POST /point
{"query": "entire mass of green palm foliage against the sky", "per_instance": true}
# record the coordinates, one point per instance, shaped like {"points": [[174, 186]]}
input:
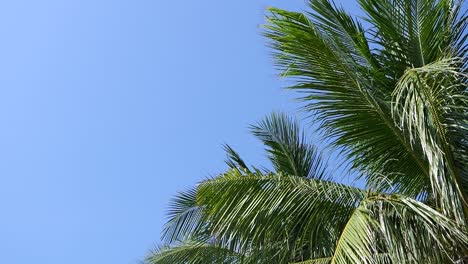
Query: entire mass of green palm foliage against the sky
{"points": [[391, 96]]}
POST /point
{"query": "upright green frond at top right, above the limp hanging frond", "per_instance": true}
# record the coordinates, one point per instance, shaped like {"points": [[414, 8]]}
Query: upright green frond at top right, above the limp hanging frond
{"points": [[413, 33]]}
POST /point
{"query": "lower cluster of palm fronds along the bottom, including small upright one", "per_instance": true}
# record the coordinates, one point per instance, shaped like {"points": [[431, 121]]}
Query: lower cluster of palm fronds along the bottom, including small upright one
{"points": [[296, 213]]}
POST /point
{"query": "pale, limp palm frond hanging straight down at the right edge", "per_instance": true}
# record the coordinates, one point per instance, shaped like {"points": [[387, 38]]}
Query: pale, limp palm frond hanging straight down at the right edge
{"points": [[429, 103]]}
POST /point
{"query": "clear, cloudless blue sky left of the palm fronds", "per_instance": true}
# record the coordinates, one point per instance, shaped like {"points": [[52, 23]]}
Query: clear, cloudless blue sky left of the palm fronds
{"points": [[109, 107]]}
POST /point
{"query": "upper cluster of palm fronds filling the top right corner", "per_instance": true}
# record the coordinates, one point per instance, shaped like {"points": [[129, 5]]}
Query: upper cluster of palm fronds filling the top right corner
{"points": [[394, 96]]}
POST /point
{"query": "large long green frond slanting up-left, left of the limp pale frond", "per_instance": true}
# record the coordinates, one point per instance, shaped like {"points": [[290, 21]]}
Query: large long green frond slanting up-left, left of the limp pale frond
{"points": [[348, 91]]}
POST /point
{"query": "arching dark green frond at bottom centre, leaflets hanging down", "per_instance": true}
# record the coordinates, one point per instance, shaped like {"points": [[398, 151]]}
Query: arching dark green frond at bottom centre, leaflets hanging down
{"points": [[253, 211]]}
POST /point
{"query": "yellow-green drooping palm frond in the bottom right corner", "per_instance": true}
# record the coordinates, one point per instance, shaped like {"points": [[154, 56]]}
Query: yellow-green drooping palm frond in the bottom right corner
{"points": [[394, 229]]}
